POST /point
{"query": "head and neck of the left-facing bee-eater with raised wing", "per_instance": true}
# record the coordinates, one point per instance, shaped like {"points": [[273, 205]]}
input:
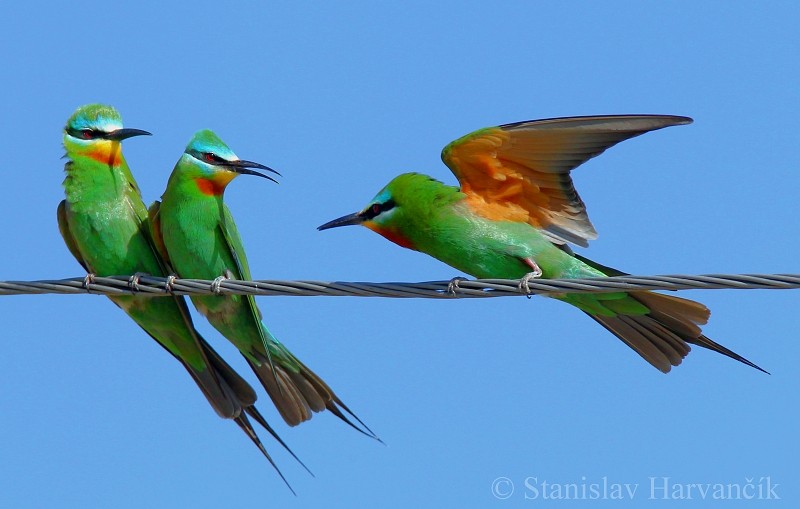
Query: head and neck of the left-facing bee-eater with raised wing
{"points": [[399, 210]]}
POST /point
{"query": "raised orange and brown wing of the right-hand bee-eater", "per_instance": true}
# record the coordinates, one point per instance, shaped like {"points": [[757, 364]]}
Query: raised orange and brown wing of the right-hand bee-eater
{"points": [[521, 171]]}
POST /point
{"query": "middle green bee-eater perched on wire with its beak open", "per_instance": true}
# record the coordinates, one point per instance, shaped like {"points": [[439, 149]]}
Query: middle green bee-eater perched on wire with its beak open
{"points": [[197, 236]]}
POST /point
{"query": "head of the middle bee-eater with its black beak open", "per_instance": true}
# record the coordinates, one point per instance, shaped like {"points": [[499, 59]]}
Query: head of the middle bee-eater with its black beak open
{"points": [[213, 165]]}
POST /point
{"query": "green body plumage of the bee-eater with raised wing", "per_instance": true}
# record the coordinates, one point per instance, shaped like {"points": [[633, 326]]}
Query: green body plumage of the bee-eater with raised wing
{"points": [[436, 219]]}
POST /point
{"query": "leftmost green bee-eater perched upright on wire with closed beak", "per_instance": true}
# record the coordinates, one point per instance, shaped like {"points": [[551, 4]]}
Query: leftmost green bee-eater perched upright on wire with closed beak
{"points": [[104, 223]]}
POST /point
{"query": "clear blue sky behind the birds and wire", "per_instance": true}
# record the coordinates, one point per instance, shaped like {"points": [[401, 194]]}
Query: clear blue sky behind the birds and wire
{"points": [[341, 97]]}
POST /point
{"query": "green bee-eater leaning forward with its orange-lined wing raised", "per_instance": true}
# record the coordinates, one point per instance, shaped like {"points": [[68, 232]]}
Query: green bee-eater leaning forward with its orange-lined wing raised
{"points": [[516, 211]]}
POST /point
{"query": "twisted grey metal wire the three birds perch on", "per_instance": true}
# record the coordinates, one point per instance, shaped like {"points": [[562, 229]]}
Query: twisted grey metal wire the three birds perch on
{"points": [[150, 286]]}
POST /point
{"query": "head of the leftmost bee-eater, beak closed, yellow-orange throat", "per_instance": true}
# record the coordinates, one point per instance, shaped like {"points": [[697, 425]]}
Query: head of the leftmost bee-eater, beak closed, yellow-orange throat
{"points": [[95, 131]]}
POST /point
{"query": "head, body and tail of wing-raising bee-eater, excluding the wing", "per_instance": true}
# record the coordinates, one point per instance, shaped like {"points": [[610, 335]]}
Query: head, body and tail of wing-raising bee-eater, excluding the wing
{"points": [[418, 212]]}
